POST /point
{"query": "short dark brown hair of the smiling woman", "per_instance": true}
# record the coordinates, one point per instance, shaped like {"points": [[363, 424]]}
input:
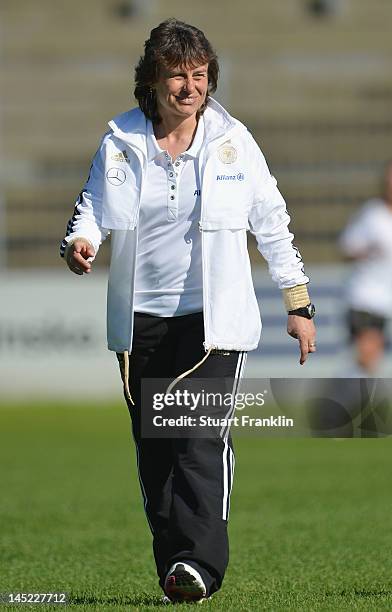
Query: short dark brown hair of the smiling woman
{"points": [[172, 43]]}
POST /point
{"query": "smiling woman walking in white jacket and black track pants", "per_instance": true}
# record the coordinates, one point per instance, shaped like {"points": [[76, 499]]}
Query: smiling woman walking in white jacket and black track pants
{"points": [[177, 182]]}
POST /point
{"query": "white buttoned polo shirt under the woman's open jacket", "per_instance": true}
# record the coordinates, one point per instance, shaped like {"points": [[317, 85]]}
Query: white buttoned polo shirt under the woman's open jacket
{"points": [[168, 263]]}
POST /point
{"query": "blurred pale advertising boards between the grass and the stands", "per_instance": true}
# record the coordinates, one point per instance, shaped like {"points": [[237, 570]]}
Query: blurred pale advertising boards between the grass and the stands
{"points": [[53, 344]]}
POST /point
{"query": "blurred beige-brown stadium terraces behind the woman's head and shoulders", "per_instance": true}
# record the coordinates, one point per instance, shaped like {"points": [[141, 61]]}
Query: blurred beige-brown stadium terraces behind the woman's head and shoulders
{"points": [[315, 93]]}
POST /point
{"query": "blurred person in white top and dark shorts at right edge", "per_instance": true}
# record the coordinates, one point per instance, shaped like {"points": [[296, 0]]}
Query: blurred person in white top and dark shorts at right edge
{"points": [[367, 242]]}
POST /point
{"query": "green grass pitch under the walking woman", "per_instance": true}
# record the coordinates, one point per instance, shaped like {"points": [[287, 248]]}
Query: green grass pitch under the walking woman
{"points": [[310, 519]]}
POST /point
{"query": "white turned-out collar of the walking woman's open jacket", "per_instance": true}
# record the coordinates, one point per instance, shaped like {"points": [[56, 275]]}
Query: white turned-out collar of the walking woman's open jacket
{"points": [[131, 126]]}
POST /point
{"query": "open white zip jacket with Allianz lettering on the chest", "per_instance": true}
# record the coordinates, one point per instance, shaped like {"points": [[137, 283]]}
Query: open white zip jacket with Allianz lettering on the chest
{"points": [[237, 193]]}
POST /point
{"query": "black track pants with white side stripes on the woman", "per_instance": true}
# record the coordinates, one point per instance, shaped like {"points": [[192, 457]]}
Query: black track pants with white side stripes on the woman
{"points": [[186, 483]]}
